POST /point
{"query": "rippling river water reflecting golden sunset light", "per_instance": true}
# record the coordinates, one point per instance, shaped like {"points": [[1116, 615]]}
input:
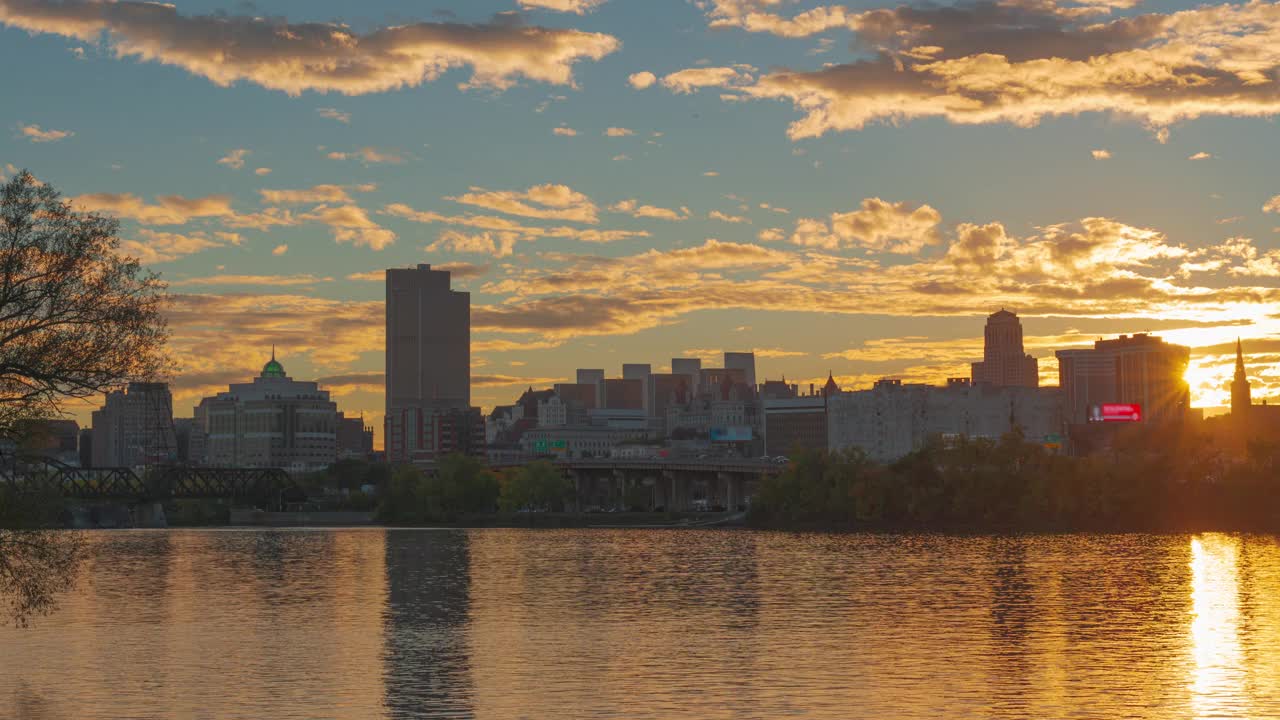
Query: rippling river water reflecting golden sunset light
{"points": [[548, 625]]}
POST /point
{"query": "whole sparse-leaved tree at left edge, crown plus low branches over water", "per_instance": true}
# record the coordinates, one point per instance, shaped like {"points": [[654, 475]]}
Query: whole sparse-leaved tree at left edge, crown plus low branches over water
{"points": [[77, 318]]}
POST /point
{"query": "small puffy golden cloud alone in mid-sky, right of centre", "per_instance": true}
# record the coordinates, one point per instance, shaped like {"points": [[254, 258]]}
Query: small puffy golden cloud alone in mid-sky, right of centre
{"points": [[880, 226]]}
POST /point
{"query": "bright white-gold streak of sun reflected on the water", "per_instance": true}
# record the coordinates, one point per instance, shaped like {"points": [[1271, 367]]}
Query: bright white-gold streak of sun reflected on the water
{"points": [[1218, 677]]}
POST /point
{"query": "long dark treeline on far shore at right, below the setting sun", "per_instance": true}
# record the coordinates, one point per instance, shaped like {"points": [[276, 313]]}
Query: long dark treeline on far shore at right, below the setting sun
{"points": [[1150, 480]]}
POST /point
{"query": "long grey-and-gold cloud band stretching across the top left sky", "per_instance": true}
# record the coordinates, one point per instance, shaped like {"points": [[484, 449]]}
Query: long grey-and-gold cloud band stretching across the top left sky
{"points": [[321, 57]]}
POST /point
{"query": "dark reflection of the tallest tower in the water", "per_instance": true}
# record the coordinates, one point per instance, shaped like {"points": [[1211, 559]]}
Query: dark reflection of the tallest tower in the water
{"points": [[426, 667]]}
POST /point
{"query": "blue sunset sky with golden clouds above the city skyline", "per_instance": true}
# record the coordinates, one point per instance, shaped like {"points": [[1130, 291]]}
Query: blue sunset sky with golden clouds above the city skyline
{"points": [[847, 189]]}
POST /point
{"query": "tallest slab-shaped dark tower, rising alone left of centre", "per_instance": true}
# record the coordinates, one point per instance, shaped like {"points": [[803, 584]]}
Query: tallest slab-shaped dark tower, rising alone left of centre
{"points": [[428, 354]]}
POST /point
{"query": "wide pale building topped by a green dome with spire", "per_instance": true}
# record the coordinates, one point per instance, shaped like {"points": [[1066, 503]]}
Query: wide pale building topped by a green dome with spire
{"points": [[273, 422]]}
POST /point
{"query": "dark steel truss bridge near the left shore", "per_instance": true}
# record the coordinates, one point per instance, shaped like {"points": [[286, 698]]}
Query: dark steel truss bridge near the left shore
{"points": [[263, 487]]}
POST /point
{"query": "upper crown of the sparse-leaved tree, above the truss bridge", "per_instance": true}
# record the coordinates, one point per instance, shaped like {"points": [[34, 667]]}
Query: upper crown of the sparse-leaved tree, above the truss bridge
{"points": [[77, 317]]}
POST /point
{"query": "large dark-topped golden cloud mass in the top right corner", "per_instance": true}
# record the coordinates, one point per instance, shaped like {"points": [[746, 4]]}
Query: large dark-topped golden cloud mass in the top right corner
{"points": [[1021, 62]]}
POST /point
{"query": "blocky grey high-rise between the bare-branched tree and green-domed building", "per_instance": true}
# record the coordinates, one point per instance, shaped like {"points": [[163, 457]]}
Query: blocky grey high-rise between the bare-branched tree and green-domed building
{"points": [[135, 427]]}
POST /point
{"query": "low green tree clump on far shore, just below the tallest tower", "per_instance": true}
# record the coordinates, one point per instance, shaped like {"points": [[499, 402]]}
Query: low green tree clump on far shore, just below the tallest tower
{"points": [[463, 486]]}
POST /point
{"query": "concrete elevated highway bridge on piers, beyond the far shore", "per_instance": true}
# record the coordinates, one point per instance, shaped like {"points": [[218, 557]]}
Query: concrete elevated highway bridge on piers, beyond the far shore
{"points": [[674, 485]]}
